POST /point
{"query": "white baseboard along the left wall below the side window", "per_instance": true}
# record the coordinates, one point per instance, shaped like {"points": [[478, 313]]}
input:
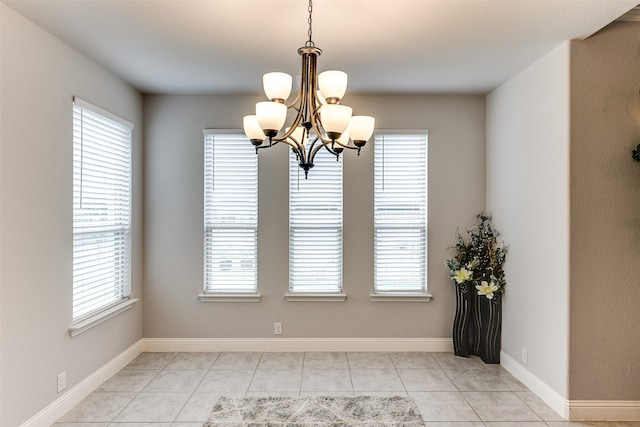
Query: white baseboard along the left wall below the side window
{"points": [[74, 395]]}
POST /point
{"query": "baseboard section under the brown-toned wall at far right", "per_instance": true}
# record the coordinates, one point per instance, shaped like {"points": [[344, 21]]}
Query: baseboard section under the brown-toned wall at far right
{"points": [[604, 410]]}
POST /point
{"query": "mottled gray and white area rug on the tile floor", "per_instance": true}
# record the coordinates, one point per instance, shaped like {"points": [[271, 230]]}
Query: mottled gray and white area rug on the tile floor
{"points": [[315, 411]]}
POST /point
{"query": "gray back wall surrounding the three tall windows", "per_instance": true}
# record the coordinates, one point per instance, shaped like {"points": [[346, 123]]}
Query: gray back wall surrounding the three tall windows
{"points": [[174, 222]]}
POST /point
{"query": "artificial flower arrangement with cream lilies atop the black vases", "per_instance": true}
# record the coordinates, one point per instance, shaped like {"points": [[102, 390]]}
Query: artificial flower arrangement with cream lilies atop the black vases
{"points": [[479, 261]]}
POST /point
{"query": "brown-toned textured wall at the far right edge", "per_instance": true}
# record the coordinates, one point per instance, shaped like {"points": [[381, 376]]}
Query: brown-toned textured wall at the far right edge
{"points": [[605, 219]]}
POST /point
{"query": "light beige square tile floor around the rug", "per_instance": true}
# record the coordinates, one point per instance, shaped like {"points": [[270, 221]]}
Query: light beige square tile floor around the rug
{"points": [[179, 389]]}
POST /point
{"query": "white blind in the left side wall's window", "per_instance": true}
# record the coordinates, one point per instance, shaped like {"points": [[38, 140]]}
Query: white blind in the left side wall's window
{"points": [[101, 209]]}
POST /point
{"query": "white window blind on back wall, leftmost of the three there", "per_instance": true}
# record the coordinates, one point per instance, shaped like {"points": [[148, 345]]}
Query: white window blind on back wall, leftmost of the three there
{"points": [[230, 214]]}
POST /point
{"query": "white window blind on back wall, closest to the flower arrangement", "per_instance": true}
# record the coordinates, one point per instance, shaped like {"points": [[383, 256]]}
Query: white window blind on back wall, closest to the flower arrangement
{"points": [[400, 213]]}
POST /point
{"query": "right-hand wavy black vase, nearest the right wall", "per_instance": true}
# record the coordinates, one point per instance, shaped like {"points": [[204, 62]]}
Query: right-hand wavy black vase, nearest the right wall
{"points": [[490, 317]]}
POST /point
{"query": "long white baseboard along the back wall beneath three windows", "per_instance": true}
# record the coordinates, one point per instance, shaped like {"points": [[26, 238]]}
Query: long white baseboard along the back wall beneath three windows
{"points": [[297, 344]]}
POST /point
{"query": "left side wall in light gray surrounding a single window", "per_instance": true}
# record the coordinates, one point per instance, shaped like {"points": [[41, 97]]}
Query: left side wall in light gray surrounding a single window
{"points": [[39, 76]]}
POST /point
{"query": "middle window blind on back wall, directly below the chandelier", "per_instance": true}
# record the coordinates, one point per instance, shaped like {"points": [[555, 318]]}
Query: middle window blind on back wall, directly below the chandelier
{"points": [[315, 225]]}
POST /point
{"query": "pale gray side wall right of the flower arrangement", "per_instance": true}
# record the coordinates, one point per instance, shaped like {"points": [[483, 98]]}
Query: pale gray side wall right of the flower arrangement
{"points": [[528, 192]]}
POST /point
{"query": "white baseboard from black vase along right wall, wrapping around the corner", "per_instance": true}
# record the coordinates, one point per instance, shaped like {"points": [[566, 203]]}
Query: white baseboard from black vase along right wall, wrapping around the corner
{"points": [[574, 410]]}
